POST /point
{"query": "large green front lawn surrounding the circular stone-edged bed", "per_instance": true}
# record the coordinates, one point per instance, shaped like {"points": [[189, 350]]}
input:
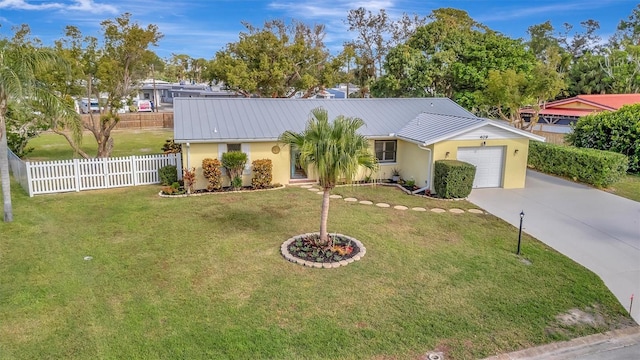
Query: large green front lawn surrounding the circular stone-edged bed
{"points": [[202, 277]]}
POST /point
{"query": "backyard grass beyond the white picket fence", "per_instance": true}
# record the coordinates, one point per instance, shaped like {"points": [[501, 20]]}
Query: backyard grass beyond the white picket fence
{"points": [[50, 146]]}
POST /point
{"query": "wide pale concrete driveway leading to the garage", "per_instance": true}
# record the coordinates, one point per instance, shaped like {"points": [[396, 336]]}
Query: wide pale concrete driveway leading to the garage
{"points": [[598, 230]]}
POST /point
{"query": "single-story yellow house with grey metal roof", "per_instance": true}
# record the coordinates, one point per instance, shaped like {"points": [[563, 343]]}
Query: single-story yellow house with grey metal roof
{"points": [[409, 134]]}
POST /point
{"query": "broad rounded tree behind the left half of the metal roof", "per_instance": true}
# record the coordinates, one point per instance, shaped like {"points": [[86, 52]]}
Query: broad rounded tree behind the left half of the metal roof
{"points": [[278, 60]]}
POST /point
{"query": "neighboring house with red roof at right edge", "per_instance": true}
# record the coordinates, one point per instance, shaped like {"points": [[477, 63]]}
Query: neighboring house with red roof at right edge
{"points": [[557, 116]]}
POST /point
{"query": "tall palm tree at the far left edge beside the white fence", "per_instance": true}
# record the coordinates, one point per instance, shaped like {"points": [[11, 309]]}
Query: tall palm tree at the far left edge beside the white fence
{"points": [[19, 64]]}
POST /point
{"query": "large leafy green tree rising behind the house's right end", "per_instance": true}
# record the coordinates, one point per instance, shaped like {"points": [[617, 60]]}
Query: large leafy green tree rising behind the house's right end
{"points": [[450, 56]]}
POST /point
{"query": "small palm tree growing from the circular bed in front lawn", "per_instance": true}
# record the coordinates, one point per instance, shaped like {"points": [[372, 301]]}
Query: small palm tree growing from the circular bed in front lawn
{"points": [[336, 151]]}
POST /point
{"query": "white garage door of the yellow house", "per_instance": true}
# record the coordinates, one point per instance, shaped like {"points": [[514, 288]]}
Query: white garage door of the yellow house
{"points": [[488, 160]]}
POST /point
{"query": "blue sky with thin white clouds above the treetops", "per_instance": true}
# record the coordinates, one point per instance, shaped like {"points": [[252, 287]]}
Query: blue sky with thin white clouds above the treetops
{"points": [[199, 28]]}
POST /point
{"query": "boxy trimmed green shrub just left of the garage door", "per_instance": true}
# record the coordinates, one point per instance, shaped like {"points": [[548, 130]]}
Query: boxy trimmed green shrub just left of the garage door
{"points": [[453, 179]]}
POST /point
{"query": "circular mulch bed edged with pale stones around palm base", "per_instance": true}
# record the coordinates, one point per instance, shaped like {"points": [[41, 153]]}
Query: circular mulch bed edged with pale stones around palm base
{"points": [[342, 251]]}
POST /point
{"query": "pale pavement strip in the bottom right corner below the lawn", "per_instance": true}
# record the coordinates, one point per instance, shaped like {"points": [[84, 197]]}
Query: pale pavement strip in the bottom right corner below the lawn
{"points": [[616, 344]]}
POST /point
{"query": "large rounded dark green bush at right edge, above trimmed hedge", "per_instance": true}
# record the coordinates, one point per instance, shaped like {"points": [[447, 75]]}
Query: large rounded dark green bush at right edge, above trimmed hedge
{"points": [[617, 131]]}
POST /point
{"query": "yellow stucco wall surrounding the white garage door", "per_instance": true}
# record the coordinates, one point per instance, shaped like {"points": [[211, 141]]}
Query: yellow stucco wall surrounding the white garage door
{"points": [[515, 164]]}
